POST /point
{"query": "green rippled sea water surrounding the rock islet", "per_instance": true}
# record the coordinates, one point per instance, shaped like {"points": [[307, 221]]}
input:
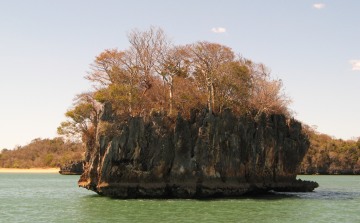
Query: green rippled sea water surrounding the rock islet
{"points": [[56, 198]]}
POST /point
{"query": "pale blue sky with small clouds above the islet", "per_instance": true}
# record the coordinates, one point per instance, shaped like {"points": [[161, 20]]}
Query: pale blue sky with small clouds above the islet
{"points": [[46, 47]]}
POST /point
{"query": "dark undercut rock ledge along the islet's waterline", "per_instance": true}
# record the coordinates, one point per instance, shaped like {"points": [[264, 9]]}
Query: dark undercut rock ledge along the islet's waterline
{"points": [[133, 191]]}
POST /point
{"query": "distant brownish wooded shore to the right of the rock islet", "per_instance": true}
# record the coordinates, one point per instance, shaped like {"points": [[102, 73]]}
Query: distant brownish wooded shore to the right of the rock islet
{"points": [[328, 155]]}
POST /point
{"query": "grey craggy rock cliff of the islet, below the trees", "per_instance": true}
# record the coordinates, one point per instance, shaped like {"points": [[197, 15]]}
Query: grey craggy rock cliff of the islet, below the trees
{"points": [[205, 156]]}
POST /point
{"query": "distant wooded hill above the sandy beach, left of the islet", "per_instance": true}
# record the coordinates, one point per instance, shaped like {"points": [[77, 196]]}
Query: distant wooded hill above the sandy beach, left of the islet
{"points": [[42, 153]]}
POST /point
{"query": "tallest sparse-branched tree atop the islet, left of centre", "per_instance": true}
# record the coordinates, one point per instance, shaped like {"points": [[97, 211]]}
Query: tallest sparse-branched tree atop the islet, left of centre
{"points": [[125, 77]]}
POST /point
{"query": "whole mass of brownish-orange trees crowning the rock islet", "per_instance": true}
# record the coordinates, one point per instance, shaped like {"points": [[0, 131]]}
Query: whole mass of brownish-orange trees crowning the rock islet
{"points": [[154, 75]]}
